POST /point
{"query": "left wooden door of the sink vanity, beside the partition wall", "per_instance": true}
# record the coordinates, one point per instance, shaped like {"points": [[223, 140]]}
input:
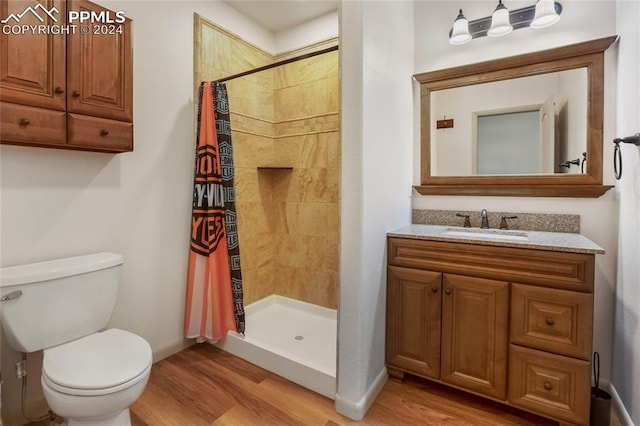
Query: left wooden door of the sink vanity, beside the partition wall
{"points": [[413, 322]]}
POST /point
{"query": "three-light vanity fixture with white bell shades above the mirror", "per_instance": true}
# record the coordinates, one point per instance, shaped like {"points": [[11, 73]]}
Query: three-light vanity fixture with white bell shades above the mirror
{"points": [[543, 14]]}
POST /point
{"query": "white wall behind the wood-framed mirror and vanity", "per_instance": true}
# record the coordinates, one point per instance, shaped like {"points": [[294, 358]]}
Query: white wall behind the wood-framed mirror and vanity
{"points": [[599, 217]]}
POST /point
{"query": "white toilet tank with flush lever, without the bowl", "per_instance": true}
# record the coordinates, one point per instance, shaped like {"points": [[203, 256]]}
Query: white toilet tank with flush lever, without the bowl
{"points": [[61, 300]]}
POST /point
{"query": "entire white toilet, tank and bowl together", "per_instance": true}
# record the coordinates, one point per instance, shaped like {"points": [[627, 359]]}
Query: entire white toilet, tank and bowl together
{"points": [[90, 375]]}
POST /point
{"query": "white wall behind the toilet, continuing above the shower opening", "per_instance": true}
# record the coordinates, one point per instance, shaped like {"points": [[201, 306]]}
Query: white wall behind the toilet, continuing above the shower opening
{"points": [[61, 203]]}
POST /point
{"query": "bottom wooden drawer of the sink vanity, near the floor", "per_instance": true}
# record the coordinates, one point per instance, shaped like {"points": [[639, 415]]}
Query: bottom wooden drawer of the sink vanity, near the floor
{"points": [[552, 385]]}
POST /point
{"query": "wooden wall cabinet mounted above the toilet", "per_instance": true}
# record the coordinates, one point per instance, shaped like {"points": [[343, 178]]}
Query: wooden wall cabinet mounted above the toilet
{"points": [[71, 90]]}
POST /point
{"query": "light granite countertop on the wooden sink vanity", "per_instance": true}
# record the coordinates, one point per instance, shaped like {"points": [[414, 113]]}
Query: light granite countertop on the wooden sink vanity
{"points": [[558, 241]]}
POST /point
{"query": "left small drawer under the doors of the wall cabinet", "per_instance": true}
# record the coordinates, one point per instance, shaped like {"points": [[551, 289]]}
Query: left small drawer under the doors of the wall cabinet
{"points": [[31, 125]]}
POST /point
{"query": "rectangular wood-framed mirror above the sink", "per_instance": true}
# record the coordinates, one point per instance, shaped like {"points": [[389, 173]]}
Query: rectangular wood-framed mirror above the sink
{"points": [[461, 118]]}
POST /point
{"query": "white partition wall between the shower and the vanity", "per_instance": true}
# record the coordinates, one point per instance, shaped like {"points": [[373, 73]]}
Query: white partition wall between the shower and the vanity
{"points": [[376, 45]]}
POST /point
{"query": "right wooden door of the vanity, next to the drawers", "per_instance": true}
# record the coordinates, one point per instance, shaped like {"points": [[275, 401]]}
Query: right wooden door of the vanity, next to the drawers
{"points": [[474, 334]]}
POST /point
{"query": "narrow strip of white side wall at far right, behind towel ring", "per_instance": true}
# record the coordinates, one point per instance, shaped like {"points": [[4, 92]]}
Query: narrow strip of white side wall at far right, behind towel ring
{"points": [[626, 343]]}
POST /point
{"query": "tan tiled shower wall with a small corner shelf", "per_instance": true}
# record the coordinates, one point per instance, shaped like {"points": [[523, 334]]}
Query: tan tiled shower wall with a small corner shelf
{"points": [[288, 218]]}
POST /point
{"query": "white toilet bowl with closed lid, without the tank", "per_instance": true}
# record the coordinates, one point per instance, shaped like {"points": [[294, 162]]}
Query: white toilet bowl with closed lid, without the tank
{"points": [[94, 380]]}
